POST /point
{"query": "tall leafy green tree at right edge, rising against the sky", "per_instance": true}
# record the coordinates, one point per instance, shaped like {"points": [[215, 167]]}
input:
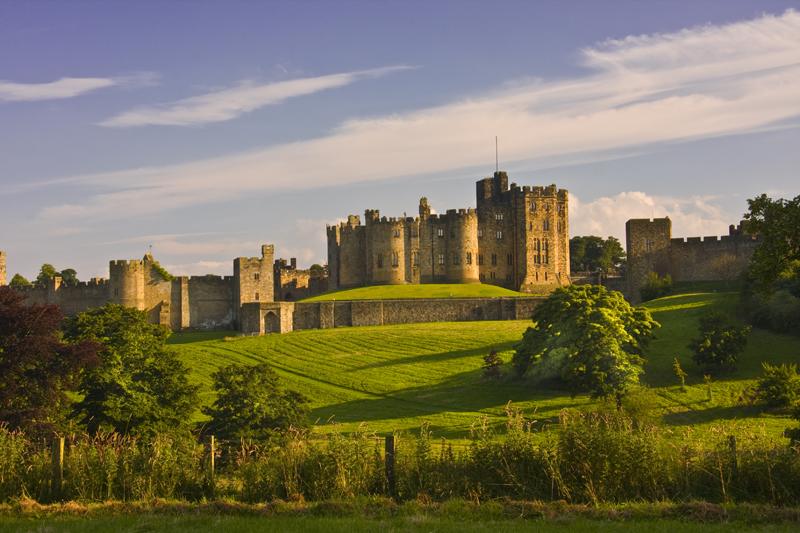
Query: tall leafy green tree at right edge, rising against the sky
{"points": [[777, 222]]}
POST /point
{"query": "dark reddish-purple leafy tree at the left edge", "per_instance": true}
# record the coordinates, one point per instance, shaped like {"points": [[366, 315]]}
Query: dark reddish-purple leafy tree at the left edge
{"points": [[36, 366]]}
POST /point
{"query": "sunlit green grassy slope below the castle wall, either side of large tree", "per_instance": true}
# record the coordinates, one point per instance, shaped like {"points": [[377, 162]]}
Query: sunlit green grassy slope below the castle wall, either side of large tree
{"points": [[396, 377]]}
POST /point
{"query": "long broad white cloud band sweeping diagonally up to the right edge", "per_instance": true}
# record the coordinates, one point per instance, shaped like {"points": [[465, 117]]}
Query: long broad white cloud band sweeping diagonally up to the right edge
{"points": [[693, 84]]}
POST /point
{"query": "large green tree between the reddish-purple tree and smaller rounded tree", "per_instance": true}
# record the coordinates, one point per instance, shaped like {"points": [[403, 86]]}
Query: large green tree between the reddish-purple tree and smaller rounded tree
{"points": [[139, 386]]}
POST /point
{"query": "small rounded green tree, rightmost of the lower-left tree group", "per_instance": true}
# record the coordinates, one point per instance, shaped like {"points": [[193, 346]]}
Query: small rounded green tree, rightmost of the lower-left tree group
{"points": [[250, 404]]}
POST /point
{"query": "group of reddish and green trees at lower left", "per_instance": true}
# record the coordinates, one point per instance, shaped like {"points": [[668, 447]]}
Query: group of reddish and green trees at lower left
{"points": [[109, 369]]}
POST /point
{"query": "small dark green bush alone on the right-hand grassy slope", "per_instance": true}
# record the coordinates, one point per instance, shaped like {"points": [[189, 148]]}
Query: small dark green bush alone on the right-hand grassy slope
{"points": [[719, 344]]}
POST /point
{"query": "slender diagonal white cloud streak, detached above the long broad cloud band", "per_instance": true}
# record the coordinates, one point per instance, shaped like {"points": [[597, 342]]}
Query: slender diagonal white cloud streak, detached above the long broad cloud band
{"points": [[227, 104]]}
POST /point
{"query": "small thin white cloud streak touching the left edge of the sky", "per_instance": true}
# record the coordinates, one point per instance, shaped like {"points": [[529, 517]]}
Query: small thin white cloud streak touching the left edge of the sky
{"points": [[67, 87]]}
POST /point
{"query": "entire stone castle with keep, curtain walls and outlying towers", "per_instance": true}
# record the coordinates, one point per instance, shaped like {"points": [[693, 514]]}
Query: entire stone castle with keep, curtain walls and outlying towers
{"points": [[516, 237]]}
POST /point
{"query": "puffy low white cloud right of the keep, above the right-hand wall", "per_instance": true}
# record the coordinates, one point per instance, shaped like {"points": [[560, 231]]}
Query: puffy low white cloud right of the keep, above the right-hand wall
{"points": [[692, 216]]}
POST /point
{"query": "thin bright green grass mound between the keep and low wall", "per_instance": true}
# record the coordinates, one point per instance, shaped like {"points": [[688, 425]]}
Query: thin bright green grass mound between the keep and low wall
{"points": [[433, 290]]}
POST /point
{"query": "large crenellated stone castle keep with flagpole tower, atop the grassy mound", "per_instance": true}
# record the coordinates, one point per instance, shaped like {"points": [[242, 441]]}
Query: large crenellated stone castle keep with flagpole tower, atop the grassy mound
{"points": [[517, 237]]}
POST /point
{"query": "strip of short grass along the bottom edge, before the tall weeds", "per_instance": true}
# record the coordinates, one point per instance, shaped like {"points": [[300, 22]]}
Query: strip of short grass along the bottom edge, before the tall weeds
{"points": [[376, 514]]}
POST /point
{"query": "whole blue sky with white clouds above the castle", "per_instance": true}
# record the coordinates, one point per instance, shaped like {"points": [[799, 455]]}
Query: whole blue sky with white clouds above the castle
{"points": [[205, 129]]}
